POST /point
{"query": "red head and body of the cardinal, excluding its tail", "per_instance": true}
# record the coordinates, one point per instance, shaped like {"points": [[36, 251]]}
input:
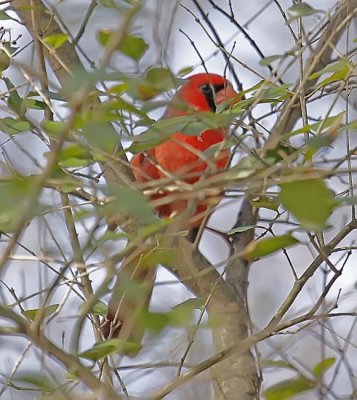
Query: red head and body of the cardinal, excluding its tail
{"points": [[179, 157]]}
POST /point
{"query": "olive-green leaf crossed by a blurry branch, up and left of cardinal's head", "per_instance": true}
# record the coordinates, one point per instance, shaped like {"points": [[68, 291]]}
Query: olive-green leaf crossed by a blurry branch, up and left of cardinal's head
{"points": [[132, 46]]}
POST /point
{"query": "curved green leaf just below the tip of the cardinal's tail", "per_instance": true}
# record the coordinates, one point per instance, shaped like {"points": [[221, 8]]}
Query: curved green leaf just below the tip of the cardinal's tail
{"points": [[108, 347]]}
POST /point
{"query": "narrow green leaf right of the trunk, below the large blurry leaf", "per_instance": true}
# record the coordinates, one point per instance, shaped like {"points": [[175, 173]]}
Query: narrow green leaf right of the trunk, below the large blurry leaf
{"points": [[264, 247]]}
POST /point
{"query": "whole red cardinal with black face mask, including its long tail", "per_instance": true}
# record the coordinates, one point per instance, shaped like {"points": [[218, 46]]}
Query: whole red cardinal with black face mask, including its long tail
{"points": [[180, 157]]}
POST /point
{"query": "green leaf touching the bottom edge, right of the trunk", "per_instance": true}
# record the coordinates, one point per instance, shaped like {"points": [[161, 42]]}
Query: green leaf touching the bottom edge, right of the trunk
{"points": [[288, 389]]}
